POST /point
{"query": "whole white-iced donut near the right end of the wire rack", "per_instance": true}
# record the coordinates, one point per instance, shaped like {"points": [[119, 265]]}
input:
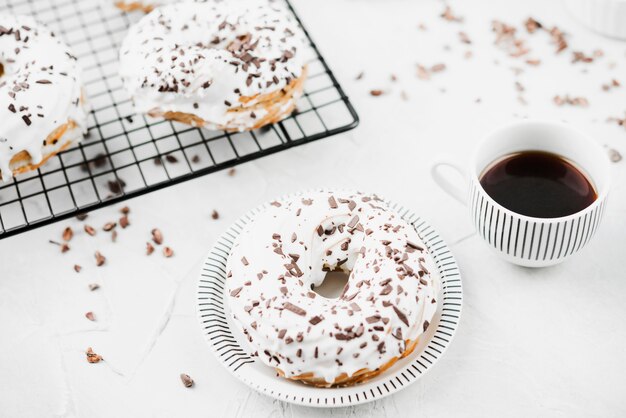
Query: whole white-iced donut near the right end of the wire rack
{"points": [[231, 66]]}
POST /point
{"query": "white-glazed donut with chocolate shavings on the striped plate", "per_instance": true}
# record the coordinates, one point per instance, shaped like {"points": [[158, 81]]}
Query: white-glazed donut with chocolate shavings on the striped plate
{"points": [[387, 304]]}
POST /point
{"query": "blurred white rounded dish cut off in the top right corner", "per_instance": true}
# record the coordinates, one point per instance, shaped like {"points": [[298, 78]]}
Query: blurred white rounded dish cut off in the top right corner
{"points": [[607, 17]]}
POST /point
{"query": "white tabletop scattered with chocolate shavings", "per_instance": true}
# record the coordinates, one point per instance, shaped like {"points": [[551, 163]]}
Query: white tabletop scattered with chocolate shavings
{"points": [[546, 342]]}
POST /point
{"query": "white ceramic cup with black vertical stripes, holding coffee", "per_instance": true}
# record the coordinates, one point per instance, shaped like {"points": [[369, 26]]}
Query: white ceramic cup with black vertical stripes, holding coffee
{"points": [[520, 239]]}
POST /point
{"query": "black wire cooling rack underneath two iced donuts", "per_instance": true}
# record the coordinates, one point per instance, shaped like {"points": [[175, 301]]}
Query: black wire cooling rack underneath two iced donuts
{"points": [[126, 155]]}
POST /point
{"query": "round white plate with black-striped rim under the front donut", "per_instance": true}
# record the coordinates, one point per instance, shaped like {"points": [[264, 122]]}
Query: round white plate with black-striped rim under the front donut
{"points": [[231, 349]]}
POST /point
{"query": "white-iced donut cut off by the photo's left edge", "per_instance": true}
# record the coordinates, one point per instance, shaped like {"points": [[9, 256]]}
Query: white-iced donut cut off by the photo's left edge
{"points": [[41, 103]]}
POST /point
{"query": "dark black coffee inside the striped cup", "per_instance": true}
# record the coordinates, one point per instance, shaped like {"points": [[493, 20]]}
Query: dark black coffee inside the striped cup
{"points": [[538, 184]]}
